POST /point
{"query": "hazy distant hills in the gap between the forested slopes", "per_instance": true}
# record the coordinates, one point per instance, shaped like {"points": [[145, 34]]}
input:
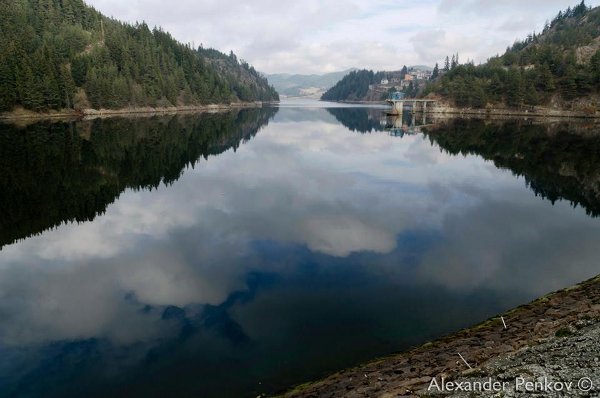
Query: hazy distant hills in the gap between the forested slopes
{"points": [[305, 85]]}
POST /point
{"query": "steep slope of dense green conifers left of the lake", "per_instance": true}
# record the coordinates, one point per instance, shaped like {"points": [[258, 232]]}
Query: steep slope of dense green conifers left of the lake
{"points": [[64, 54]]}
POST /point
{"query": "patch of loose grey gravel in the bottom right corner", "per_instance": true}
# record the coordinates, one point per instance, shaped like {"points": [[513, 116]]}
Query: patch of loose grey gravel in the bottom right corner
{"points": [[566, 365]]}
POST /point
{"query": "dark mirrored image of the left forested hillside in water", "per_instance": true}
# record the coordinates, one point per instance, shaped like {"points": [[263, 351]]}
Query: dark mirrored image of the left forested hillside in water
{"points": [[55, 173]]}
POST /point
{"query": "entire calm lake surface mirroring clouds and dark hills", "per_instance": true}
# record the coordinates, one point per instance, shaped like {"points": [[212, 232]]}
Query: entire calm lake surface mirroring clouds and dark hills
{"points": [[234, 254]]}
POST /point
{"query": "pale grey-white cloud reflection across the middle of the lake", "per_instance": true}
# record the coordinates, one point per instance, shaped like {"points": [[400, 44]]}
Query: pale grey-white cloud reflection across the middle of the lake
{"points": [[310, 184]]}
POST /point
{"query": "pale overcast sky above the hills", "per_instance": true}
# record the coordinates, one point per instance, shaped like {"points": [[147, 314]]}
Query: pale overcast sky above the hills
{"points": [[316, 36]]}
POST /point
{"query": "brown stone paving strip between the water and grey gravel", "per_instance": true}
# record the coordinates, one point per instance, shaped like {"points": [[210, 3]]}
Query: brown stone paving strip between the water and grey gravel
{"points": [[548, 319]]}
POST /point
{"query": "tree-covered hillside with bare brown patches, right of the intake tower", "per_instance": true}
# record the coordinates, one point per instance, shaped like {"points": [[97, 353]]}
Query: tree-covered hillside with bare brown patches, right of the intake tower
{"points": [[555, 68]]}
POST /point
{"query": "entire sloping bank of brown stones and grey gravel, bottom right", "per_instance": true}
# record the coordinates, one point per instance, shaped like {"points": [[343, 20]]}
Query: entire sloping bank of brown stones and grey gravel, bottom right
{"points": [[553, 339]]}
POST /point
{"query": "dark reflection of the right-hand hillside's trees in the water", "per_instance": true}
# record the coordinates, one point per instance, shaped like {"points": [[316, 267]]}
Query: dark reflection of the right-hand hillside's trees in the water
{"points": [[558, 161]]}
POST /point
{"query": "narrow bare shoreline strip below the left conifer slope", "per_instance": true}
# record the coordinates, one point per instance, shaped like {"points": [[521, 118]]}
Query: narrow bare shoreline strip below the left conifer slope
{"points": [[88, 114]]}
